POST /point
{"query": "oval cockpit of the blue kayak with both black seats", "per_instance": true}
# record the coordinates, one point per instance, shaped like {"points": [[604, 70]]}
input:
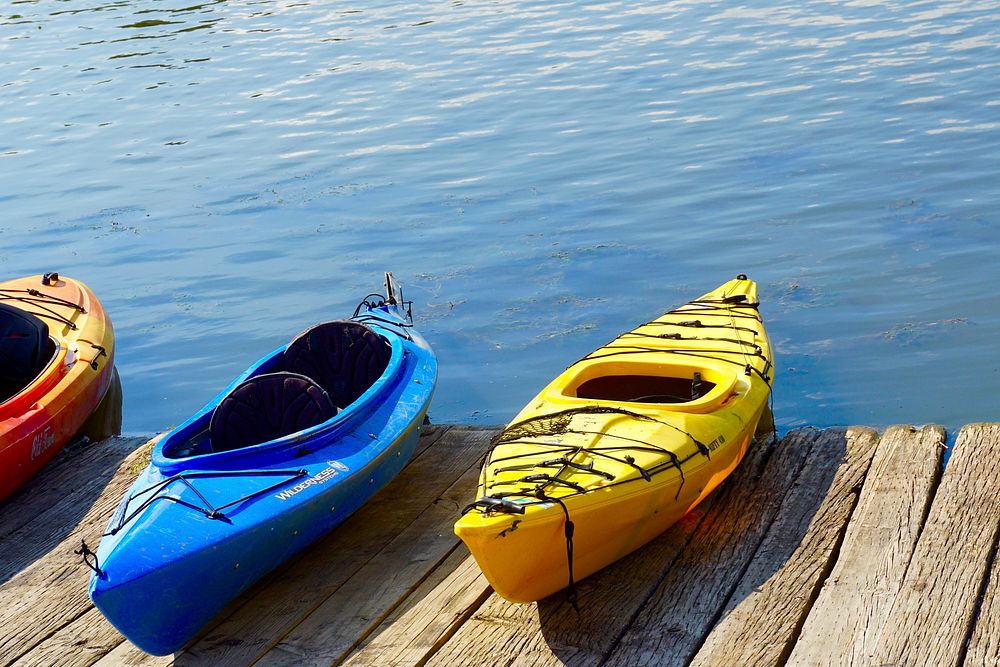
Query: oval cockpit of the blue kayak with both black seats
{"points": [[312, 384]]}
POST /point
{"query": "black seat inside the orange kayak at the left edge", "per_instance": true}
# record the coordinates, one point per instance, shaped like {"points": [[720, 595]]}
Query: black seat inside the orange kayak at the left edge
{"points": [[25, 349]]}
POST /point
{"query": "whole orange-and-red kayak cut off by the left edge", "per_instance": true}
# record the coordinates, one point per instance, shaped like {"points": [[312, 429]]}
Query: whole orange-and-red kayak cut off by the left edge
{"points": [[56, 363]]}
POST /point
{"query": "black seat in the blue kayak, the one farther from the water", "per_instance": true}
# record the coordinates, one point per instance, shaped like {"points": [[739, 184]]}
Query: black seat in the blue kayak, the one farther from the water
{"points": [[266, 407]]}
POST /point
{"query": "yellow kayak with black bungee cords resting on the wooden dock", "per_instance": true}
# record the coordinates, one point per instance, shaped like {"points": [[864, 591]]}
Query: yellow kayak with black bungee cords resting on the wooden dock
{"points": [[621, 445]]}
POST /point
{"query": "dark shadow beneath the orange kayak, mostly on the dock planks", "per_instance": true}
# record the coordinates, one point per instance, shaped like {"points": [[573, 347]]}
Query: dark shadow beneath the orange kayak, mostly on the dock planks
{"points": [[51, 505]]}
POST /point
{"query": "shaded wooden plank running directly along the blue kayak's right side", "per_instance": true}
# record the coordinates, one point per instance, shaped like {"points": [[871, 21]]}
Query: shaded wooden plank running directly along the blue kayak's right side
{"points": [[275, 606]]}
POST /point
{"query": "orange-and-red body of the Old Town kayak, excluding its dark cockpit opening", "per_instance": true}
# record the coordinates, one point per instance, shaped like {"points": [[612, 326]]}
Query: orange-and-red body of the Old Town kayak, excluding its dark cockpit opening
{"points": [[37, 422]]}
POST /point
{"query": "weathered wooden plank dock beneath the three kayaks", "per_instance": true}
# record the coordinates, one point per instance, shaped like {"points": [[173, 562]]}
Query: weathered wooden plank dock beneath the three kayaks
{"points": [[830, 547]]}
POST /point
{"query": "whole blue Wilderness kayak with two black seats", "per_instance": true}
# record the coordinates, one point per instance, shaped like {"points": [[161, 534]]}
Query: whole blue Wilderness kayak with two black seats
{"points": [[279, 458]]}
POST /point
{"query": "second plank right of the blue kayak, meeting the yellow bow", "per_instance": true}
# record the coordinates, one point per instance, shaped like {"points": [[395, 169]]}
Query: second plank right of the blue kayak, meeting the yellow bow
{"points": [[351, 613]]}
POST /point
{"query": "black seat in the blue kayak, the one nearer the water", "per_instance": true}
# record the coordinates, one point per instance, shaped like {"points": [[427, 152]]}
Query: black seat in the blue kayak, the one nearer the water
{"points": [[345, 358]]}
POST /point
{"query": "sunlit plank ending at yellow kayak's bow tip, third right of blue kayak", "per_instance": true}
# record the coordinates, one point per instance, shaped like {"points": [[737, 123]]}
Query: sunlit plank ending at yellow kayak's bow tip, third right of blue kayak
{"points": [[428, 617]]}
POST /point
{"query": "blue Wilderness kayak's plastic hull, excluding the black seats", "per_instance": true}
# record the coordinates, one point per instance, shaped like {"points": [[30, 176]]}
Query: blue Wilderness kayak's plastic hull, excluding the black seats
{"points": [[197, 530]]}
